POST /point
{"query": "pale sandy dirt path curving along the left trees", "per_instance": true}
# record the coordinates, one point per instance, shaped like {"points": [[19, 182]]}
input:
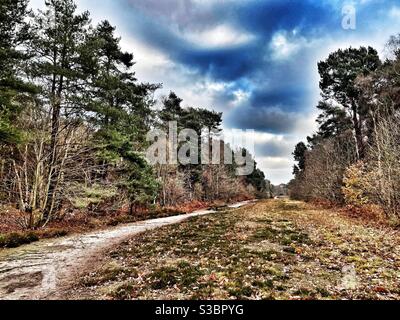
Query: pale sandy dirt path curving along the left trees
{"points": [[39, 270]]}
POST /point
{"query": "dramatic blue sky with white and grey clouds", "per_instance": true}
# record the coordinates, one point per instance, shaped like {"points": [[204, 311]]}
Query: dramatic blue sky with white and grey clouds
{"points": [[255, 61]]}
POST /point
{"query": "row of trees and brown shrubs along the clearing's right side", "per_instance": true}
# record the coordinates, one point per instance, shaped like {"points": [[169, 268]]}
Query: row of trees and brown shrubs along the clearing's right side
{"points": [[354, 157]]}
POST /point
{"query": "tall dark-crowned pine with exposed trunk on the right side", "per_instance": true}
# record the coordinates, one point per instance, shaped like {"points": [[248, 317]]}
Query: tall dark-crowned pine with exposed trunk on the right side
{"points": [[340, 93]]}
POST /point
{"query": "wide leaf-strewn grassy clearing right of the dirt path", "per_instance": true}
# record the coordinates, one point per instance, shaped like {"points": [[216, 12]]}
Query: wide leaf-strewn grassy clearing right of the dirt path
{"points": [[277, 249]]}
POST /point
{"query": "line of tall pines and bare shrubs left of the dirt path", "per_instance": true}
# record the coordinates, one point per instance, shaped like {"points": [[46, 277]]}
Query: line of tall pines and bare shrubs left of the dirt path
{"points": [[74, 118]]}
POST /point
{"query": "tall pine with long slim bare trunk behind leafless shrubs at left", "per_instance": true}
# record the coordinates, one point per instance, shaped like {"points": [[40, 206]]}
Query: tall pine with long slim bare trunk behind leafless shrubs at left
{"points": [[59, 34]]}
